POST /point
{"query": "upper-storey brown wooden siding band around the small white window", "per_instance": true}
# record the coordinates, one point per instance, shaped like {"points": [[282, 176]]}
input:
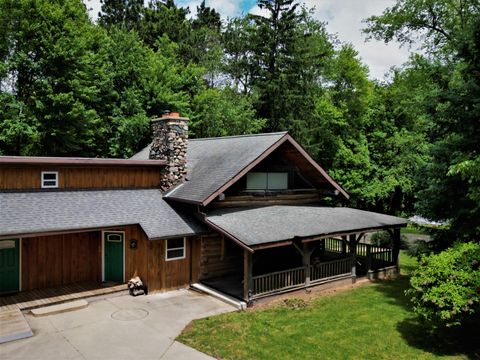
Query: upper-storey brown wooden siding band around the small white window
{"points": [[28, 177]]}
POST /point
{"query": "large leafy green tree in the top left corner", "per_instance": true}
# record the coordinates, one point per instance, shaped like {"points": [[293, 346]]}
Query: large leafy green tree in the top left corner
{"points": [[48, 60]]}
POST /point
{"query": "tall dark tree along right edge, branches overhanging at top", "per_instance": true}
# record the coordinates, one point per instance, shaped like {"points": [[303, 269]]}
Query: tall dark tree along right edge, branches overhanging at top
{"points": [[451, 30]]}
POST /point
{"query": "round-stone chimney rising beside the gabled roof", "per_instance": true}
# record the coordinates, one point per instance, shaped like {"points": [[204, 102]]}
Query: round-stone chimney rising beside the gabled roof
{"points": [[170, 139]]}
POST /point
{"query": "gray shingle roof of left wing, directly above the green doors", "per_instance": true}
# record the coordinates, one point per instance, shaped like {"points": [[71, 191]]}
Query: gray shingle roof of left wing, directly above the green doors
{"points": [[32, 212]]}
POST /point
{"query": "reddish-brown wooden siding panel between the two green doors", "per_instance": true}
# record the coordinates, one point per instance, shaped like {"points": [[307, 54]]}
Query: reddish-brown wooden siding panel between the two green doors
{"points": [[57, 260]]}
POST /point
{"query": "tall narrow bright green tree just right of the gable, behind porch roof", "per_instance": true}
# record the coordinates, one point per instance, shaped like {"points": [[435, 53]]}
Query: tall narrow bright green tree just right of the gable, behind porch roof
{"points": [[350, 93]]}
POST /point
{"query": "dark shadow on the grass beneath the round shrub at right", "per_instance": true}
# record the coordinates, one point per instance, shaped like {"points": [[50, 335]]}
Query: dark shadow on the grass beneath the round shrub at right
{"points": [[421, 335]]}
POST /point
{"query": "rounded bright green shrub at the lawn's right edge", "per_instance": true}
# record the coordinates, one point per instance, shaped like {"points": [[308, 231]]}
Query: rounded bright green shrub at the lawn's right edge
{"points": [[446, 286]]}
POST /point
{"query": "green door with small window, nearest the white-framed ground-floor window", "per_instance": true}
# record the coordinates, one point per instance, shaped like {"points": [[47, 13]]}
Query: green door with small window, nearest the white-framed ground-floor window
{"points": [[113, 256]]}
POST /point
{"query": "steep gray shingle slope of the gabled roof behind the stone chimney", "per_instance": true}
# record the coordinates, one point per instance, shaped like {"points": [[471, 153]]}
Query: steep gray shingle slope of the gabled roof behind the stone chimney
{"points": [[213, 162]]}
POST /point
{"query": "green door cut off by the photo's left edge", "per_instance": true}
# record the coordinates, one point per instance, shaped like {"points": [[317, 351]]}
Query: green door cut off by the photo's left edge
{"points": [[9, 266]]}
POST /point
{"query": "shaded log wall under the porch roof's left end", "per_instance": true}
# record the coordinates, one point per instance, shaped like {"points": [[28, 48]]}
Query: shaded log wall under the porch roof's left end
{"points": [[213, 260]]}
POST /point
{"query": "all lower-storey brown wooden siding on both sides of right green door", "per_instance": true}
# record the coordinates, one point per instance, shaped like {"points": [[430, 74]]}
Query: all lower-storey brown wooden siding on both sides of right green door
{"points": [[58, 260]]}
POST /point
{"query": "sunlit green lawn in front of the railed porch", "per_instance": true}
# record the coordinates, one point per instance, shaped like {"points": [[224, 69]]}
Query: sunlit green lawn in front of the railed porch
{"points": [[372, 321]]}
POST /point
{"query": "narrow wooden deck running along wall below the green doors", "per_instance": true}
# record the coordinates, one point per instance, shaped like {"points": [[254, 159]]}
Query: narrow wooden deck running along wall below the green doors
{"points": [[37, 298]]}
